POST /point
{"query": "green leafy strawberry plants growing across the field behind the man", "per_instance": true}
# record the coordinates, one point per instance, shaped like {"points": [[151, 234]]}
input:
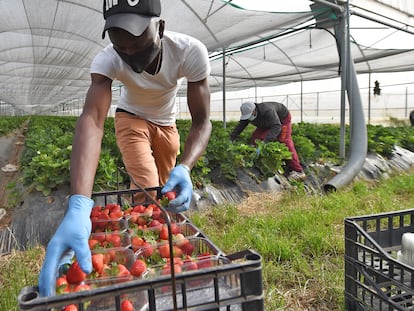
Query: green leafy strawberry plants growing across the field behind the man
{"points": [[46, 159]]}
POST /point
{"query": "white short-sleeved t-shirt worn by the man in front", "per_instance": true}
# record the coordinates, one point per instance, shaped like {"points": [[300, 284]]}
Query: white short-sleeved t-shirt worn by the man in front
{"points": [[152, 97]]}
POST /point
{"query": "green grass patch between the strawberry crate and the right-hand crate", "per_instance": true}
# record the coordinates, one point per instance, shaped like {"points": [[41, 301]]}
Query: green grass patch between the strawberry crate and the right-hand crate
{"points": [[301, 237]]}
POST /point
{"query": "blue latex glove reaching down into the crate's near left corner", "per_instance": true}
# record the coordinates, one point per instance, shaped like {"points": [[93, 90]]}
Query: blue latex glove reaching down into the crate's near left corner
{"points": [[72, 234]]}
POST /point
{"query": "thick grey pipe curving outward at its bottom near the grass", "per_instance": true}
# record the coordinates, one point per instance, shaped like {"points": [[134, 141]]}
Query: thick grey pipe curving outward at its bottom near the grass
{"points": [[358, 141]]}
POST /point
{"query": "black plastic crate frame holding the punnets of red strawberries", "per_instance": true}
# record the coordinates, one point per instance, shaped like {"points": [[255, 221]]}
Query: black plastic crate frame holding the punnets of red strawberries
{"points": [[233, 282]]}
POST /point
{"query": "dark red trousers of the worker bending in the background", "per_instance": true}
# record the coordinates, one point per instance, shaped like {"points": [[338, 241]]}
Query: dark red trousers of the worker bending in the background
{"points": [[284, 137]]}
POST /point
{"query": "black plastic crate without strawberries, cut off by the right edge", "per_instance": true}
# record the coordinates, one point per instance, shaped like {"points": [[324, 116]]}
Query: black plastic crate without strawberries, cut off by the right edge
{"points": [[374, 279]]}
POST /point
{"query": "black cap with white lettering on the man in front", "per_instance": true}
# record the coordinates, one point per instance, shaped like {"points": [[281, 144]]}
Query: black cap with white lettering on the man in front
{"points": [[133, 16]]}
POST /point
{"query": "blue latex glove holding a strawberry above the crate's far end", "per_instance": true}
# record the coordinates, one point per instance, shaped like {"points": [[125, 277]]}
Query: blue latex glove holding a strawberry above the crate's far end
{"points": [[180, 181]]}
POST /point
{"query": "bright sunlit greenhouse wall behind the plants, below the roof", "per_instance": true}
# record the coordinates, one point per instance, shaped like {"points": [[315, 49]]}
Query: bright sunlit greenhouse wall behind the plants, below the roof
{"points": [[395, 102]]}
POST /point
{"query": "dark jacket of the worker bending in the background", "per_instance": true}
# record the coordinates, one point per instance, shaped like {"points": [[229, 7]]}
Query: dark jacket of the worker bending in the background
{"points": [[269, 116]]}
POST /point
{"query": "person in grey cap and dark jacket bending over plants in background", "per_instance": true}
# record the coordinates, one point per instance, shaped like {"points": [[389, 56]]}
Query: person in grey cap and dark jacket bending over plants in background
{"points": [[273, 123]]}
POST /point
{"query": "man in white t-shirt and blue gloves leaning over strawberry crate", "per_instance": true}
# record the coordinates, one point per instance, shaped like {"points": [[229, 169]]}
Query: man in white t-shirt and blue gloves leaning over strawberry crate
{"points": [[151, 63]]}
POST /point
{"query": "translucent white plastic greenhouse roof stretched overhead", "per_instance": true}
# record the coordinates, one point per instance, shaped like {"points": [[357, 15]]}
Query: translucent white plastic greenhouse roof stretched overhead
{"points": [[48, 45]]}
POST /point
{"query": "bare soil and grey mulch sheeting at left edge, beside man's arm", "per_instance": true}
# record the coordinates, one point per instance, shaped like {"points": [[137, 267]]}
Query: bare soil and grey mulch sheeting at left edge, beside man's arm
{"points": [[29, 218]]}
